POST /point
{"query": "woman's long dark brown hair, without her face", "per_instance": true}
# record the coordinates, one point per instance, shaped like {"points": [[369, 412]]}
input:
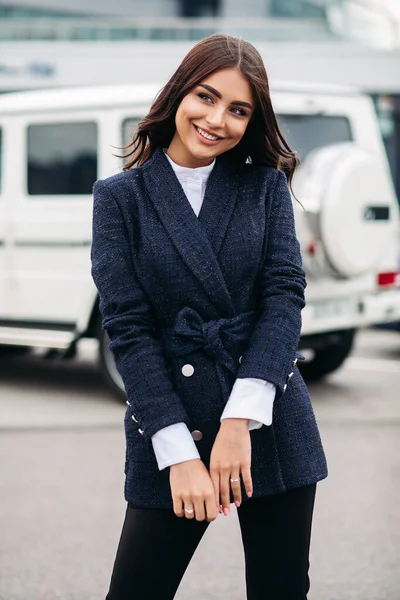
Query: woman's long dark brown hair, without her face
{"points": [[262, 142]]}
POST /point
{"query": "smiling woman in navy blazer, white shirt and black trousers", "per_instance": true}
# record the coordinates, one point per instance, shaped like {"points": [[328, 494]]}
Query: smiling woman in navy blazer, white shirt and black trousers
{"points": [[201, 287]]}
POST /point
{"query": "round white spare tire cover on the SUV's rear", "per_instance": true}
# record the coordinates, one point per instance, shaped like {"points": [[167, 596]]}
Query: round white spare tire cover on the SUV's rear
{"points": [[353, 195]]}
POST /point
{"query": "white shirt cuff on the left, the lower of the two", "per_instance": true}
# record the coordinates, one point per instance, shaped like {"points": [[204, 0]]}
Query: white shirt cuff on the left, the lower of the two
{"points": [[173, 444]]}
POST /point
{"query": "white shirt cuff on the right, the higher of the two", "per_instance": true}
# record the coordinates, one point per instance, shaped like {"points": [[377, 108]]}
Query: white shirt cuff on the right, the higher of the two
{"points": [[251, 399]]}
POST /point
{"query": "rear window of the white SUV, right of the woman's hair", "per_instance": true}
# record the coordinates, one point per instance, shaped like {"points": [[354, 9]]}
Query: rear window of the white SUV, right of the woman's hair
{"points": [[305, 133]]}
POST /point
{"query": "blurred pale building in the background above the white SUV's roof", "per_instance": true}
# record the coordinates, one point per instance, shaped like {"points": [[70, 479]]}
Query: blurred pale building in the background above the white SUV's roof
{"points": [[47, 43]]}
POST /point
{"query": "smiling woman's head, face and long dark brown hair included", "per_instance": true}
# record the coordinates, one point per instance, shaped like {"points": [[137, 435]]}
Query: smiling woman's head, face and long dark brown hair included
{"points": [[217, 101]]}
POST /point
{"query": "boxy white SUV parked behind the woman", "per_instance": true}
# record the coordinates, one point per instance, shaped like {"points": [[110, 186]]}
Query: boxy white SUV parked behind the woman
{"points": [[55, 143]]}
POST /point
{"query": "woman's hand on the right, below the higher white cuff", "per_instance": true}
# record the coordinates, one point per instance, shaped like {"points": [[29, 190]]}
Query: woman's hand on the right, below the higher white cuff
{"points": [[231, 459]]}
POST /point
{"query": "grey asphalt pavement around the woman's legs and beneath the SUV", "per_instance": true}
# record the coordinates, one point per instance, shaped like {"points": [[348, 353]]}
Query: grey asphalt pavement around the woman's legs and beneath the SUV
{"points": [[61, 484]]}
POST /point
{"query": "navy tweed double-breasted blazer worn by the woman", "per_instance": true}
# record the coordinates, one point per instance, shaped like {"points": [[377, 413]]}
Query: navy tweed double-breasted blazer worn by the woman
{"points": [[174, 289]]}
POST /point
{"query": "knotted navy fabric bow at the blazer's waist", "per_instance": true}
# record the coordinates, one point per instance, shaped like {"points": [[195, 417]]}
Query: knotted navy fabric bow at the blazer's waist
{"points": [[224, 340]]}
